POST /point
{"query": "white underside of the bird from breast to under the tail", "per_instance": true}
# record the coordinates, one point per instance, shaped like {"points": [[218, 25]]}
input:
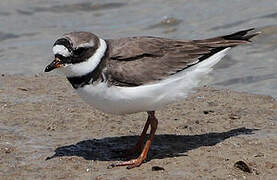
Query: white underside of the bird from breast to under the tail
{"points": [[126, 100]]}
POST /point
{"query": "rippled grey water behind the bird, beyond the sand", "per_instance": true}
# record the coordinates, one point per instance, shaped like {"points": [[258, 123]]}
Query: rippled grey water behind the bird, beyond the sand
{"points": [[29, 28]]}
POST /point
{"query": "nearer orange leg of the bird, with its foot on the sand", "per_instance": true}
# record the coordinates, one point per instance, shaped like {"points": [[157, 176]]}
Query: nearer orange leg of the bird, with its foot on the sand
{"points": [[137, 162]]}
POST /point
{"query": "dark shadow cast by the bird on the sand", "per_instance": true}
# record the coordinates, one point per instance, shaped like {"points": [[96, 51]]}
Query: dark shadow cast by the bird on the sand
{"points": [[164, 145]]}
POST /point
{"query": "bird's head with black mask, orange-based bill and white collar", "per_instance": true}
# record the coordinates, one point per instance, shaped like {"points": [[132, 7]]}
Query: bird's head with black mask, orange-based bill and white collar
{"points": [[74, 51]]}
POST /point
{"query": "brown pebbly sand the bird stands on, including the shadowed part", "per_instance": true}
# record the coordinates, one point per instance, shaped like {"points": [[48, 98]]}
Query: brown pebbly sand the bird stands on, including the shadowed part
{"points": [[200, 138]]}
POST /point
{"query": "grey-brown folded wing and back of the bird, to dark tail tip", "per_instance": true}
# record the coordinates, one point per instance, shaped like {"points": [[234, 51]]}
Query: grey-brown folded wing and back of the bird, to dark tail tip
{"points": [[140, 60]]}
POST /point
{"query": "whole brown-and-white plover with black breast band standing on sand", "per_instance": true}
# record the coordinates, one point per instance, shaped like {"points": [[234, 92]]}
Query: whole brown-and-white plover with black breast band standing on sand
{"points": [[138, 74]]}
